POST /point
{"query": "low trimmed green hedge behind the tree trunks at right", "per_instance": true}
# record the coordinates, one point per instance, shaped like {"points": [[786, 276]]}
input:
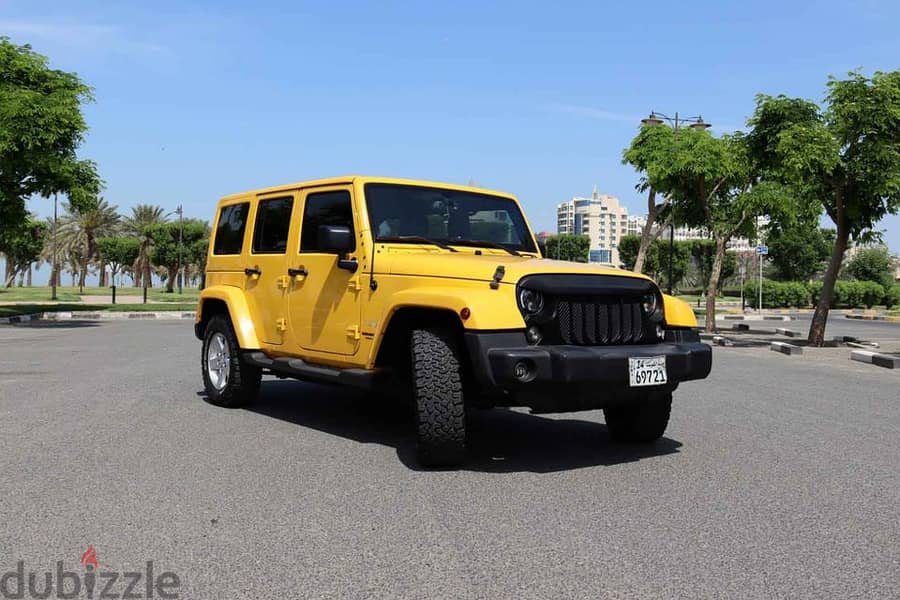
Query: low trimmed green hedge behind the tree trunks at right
{"points": [[847, 294]]}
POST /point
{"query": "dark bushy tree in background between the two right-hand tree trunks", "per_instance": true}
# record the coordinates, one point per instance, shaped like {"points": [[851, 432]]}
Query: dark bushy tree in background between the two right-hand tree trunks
{"points": [[798, 252]]}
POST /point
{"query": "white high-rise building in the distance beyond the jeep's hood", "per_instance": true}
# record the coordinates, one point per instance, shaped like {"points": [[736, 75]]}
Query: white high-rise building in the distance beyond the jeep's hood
{"points": [[602, 218]]}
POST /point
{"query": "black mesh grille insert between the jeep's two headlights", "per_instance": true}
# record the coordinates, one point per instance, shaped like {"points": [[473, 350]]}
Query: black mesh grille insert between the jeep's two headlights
{"points": [[598, 320]]}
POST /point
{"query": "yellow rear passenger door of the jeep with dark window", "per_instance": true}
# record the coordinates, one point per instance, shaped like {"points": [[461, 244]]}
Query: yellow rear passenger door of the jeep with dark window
{"points": [[266, 279]]}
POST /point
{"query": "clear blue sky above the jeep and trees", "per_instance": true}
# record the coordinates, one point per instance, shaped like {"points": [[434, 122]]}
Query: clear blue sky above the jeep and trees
{"points": [[195, 100]]}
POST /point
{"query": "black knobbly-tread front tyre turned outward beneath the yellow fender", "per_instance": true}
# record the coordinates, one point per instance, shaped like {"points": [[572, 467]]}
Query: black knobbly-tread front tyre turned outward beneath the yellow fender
{"points": [[438, 395]]}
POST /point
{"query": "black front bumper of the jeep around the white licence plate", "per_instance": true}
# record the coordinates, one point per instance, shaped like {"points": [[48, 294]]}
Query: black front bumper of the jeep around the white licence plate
{"points": [[499, 360]]}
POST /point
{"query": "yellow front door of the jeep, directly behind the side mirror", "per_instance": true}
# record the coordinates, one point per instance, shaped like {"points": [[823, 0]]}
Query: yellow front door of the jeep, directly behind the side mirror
{"points": [[324, 299]]}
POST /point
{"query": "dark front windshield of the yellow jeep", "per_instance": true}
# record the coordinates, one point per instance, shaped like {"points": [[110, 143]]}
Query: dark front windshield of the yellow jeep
{"points": [[446, 216]]}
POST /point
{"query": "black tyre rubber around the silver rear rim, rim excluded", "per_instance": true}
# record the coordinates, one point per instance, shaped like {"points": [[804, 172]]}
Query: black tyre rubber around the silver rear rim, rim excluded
{"points": [[242, 384]]}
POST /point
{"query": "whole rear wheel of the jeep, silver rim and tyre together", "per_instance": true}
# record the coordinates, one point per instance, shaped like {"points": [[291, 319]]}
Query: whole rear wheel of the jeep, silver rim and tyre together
{"points": [[229, 381]]}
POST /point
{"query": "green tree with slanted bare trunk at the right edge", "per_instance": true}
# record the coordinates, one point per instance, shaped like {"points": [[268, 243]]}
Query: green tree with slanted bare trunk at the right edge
{"points": [[847, 157]]}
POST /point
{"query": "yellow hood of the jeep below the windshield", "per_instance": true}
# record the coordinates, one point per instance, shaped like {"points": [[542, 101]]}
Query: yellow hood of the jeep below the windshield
{"points": [[466, 265]]}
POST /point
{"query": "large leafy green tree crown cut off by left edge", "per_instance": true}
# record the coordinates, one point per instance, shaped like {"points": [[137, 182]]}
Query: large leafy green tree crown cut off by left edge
{"points": [[41, 126]]}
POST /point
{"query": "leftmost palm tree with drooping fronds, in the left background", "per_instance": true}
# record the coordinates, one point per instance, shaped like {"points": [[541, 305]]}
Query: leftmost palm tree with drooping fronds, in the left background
{"points": [[79, 230]]}
